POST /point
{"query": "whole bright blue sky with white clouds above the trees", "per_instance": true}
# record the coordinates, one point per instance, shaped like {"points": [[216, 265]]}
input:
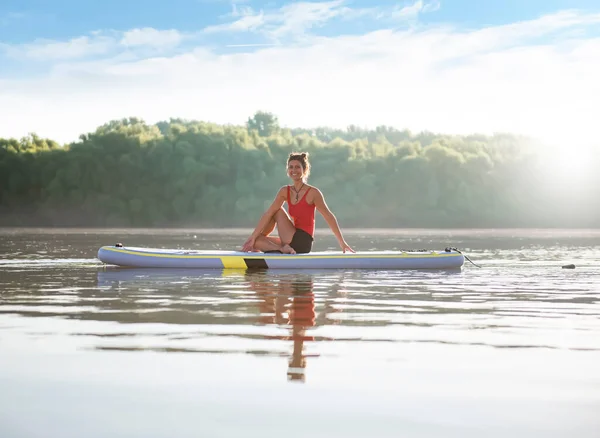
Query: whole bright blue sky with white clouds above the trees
{"points": [[448, 66]]}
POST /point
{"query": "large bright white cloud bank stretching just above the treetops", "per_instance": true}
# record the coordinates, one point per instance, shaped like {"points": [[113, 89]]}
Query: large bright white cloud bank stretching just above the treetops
{"points": [[532, 77]]}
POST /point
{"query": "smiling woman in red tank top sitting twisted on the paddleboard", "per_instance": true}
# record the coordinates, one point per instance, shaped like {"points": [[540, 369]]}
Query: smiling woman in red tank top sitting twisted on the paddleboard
{"points": [[296, 230]]}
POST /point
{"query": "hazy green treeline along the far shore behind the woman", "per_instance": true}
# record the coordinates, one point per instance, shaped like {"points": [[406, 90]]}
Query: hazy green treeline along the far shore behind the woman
{"points": [[196, 174]]}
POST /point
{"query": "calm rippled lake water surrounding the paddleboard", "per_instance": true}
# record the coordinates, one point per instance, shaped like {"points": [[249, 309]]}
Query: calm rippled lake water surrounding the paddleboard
{"points": [[508, 349]]}
